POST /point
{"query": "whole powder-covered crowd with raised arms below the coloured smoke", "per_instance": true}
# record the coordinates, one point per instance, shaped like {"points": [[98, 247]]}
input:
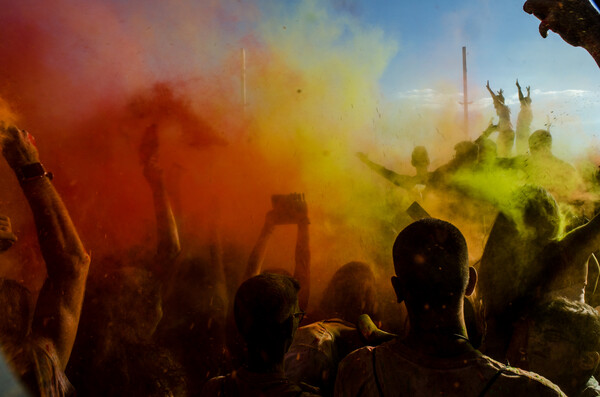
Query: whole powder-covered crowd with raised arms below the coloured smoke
{"points": [[521, 320]]}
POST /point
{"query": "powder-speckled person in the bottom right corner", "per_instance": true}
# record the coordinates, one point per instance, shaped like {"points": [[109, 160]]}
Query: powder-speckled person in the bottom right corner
{"points": [[564, 346]]}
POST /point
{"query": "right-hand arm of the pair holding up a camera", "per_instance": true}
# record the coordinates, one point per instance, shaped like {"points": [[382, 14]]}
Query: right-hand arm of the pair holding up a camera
{"points": [[302, 269]]}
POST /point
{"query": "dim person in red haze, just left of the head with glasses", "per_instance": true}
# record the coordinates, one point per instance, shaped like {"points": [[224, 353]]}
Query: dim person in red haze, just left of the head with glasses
{"points": [[193, 327]]}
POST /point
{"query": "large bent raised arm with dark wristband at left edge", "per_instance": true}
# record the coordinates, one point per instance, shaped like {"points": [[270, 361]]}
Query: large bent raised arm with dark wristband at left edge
{"points": [[58, 307]]}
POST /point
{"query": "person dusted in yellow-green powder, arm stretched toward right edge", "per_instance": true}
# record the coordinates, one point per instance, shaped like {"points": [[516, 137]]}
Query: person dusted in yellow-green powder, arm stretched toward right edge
{"points": [[526, 260]]}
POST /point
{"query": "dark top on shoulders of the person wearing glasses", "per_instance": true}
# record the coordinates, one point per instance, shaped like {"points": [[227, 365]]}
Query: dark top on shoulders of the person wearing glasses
{"points": [[244, 383]]}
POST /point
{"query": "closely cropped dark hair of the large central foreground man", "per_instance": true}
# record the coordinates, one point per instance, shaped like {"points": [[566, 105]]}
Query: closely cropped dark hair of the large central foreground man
{"points": [[431, 261]]}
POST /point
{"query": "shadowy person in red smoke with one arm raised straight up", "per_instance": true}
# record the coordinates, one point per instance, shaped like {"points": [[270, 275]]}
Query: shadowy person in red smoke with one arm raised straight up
{"points": [[118, 348]]}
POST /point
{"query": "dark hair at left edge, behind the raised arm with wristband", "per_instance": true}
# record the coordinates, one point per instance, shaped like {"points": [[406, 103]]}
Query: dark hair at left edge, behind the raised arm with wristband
{"points": [[16, 312]]}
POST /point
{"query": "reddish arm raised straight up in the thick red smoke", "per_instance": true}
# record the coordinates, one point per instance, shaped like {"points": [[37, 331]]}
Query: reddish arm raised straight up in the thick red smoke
{"points": [[168, 245]]}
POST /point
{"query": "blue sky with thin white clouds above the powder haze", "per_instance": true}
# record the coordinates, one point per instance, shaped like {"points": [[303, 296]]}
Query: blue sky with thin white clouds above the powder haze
{"points": [[503, 44]]}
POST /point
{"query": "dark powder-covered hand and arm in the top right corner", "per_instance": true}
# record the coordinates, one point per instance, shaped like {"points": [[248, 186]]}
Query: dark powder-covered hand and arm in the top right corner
{"points": [[576, 21]]}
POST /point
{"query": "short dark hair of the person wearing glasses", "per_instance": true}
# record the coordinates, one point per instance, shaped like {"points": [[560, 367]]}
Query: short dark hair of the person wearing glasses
{"points": [[262, 305]]}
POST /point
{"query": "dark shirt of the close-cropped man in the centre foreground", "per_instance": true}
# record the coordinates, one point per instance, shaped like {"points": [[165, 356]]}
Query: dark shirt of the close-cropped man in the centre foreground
{"points": [[401, 371]]}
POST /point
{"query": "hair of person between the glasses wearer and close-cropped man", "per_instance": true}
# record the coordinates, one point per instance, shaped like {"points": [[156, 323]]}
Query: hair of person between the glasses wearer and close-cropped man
{"points": [[350, 292]]}
